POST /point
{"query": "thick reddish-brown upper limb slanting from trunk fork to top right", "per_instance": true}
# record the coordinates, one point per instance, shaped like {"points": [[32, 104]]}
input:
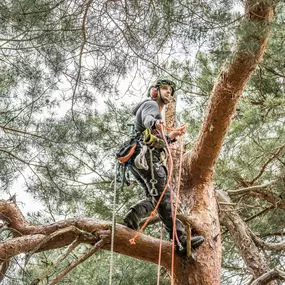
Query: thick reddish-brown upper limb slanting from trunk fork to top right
{"points": [[228, 89]]}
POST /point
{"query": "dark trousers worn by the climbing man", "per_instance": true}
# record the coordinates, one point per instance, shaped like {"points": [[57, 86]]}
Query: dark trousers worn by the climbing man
{"points": [[145, 206]]}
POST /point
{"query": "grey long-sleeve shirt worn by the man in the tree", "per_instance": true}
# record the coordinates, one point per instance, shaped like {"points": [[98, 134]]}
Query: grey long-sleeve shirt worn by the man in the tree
{"points": [[147, 113]]}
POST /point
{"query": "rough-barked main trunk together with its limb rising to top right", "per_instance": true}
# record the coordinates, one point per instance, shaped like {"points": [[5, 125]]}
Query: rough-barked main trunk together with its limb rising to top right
{"points": [[198, 166]]}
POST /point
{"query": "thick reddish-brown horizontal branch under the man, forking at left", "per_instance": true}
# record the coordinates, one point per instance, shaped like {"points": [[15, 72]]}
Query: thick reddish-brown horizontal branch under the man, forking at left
{"points": [[32, 236]]}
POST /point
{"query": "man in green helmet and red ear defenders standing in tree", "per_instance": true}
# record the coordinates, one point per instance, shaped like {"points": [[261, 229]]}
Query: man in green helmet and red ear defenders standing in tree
{"points": [[152, 175]]}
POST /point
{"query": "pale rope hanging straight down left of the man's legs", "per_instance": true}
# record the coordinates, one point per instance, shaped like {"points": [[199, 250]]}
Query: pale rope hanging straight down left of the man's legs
{"points": [[113, 227]]}
